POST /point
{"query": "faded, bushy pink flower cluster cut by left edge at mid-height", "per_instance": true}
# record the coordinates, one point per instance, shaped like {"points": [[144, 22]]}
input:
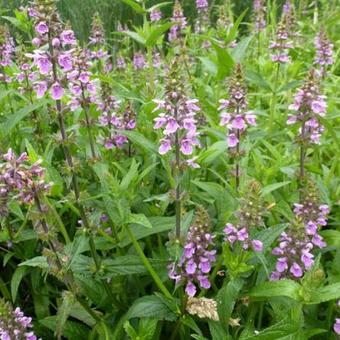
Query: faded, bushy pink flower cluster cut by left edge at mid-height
{"points": [[20, 180]]}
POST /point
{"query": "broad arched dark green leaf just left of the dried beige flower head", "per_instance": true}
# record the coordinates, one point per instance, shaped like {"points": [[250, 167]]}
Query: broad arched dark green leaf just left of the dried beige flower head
{"points": [[151, 306]]}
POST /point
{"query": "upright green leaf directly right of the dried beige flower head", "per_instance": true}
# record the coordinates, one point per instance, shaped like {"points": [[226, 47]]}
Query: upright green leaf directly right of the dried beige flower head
{"points": [[226, 298]]}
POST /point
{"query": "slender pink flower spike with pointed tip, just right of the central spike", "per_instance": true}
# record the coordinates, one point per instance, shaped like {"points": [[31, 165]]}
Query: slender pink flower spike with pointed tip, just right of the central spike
{"points": [[234, 112]]}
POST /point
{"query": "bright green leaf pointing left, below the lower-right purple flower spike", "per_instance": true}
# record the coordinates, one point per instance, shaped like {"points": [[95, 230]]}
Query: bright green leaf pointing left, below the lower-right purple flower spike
{"points": [[268, 289]]}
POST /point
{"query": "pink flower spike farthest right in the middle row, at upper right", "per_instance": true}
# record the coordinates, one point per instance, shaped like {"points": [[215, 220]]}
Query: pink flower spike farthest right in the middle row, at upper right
{"points": [[309, 105]]}
